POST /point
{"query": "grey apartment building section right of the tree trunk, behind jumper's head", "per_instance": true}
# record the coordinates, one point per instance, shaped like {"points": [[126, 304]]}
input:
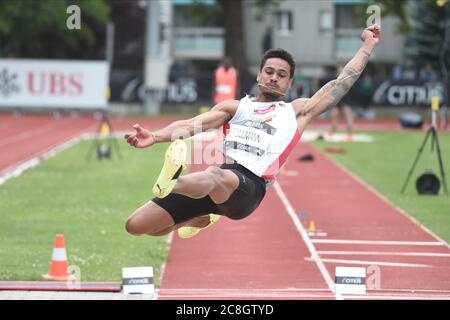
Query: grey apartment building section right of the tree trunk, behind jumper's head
{"points": [[319, 34]]}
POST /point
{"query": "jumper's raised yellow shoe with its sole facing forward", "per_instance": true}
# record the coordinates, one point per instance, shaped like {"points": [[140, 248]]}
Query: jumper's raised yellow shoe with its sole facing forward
{"points": [[174, 163]]}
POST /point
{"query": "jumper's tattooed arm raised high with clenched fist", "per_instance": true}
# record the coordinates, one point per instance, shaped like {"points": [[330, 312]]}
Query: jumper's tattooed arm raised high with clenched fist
{"points": [[330, 94]]}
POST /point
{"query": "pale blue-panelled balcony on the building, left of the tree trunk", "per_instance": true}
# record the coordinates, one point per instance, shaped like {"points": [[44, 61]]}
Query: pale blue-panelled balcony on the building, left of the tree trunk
{"points": [[198, 43]]}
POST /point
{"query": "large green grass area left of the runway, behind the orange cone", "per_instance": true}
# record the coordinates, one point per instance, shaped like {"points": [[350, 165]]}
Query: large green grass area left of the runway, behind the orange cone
{"points": [[89, 203]]}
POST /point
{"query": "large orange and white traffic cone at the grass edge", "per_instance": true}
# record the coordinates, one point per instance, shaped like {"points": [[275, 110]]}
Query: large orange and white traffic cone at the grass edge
{"points": [[59, 265]]}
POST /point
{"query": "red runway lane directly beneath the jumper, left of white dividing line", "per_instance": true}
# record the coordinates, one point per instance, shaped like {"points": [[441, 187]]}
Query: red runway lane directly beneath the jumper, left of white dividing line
{"points": [[260, 257]]}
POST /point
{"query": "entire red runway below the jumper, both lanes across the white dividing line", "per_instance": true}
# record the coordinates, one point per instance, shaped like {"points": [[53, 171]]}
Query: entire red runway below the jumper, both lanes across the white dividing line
{"points": [[265, 257]]}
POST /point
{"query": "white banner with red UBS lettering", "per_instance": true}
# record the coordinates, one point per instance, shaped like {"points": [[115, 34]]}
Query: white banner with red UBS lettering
{"points": [[53, 83]]}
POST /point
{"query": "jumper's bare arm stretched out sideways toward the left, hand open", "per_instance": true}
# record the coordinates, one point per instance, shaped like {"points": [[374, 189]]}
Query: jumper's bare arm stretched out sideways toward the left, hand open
{"points": [[220, 114]]}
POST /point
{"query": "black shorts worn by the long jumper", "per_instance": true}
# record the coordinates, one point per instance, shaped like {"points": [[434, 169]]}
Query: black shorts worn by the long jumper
{"points": [[242, 202]]}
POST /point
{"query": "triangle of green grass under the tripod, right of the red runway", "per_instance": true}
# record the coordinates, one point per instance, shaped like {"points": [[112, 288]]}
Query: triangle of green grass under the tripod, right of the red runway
{"points": [[385, 164]]}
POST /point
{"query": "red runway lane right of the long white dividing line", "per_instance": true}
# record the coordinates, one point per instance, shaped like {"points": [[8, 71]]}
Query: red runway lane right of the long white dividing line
{"points": [[364, 229]]}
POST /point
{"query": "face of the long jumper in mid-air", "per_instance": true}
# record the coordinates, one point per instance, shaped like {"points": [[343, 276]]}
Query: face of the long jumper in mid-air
{"points": [[275, 75]]}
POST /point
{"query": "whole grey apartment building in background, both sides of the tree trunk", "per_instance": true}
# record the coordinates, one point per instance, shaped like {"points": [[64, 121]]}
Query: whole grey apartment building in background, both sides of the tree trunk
{"points": [[319, 34]]}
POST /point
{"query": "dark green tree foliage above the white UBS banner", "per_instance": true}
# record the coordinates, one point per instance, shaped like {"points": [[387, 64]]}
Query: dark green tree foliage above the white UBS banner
{"points": [[37, 29]]}
